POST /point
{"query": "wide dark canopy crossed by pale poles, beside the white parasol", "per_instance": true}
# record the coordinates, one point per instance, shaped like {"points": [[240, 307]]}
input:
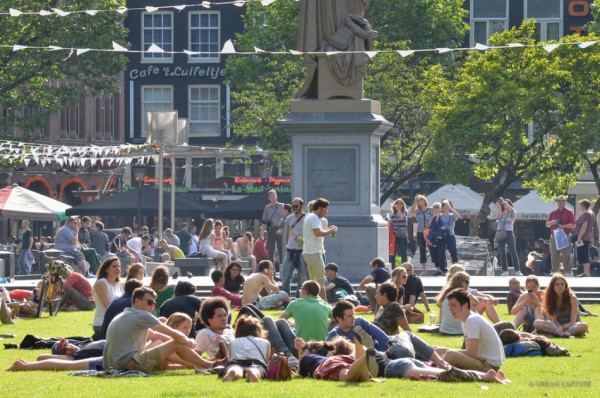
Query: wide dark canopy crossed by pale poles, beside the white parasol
{"points": [[126, 204]]}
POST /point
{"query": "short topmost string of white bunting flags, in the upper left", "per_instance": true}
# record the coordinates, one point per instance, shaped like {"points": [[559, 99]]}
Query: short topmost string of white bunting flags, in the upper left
{"points": [[13, 12]]}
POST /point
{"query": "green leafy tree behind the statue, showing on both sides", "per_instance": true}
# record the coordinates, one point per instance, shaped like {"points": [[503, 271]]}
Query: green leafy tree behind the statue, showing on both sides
{"points": [[262, 85]]}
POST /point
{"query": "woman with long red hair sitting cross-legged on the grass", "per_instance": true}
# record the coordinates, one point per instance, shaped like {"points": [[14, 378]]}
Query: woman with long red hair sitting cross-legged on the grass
{"points": [[559, 310]]}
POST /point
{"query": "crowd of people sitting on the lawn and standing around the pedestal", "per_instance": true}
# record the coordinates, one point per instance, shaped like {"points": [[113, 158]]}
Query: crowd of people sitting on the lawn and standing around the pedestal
{"points": [[165, 326]]}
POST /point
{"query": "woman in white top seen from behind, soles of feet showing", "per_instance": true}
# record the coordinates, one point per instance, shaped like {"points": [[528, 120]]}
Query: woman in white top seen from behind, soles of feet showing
{"points": [[250, 352]]}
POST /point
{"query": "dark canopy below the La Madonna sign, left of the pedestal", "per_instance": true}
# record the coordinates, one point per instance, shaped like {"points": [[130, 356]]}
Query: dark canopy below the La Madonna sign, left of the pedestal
{"points": [[250, 207]]}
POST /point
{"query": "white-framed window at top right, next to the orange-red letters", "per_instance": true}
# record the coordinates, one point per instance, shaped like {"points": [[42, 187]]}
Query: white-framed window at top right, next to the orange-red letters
{"points": [[548, 18]]}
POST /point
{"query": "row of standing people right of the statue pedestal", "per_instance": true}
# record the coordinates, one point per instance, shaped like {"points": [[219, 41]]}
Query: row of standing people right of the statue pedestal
{"points": [[435, 234]]}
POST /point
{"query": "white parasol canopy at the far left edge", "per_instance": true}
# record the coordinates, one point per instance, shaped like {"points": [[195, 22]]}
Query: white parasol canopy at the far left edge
{"points": [[20, 203]]}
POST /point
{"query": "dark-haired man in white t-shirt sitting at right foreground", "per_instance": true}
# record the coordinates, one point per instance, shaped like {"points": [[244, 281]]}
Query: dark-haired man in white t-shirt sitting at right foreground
{"points": [[484, 350]]}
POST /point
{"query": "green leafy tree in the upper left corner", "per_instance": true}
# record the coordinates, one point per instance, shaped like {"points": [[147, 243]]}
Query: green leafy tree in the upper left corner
{"points": [[35, 83]]}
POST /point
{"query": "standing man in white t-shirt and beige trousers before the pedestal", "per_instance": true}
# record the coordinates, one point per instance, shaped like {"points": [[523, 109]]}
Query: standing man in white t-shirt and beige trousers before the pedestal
{"points": [[313, 249]]}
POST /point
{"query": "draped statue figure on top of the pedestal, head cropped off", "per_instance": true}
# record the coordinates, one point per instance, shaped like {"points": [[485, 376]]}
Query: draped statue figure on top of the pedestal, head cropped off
{"points": [[331, 26]]}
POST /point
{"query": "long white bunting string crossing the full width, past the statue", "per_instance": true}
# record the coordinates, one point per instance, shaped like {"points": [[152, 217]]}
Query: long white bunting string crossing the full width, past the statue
{"points": [[228, 49]]}
